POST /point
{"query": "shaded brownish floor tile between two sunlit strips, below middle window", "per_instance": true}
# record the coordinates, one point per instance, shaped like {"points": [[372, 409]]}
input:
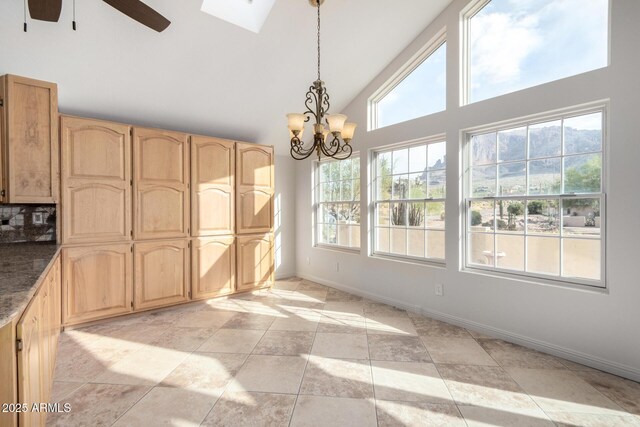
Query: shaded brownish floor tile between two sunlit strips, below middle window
{"points": [[397, 348]]}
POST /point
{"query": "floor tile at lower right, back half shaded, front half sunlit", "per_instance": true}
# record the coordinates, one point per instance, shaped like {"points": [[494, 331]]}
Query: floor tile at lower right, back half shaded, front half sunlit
{"points": [[484, 386]]}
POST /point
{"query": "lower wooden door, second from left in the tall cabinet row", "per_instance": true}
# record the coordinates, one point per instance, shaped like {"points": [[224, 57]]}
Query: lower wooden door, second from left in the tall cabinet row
{"points": [[162, 273]]}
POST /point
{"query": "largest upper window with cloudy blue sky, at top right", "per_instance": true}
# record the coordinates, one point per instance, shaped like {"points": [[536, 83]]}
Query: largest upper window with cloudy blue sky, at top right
{"points": [[513, 45]]}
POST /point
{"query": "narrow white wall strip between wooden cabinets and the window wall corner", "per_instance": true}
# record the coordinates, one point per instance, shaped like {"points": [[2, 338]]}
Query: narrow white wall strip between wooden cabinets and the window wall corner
{"points": [[285, 217]]}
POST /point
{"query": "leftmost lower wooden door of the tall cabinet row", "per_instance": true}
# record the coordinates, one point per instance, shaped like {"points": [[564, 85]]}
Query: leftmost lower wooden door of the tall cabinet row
{"points": [[97, 282]]}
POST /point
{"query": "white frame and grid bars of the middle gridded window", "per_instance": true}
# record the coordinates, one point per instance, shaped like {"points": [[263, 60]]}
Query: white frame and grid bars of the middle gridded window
{"points": [[373, 212]]}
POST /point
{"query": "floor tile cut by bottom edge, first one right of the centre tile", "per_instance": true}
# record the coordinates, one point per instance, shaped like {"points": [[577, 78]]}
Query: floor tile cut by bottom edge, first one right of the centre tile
{"points": [[393, 414]]}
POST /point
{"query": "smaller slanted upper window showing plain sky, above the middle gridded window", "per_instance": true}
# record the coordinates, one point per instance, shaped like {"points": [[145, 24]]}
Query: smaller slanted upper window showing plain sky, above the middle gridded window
{"points": [[419, 89]]}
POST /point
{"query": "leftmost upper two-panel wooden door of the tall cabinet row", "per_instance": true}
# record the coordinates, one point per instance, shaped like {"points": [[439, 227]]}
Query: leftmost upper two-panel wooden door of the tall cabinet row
{"points": [[96, 181]]}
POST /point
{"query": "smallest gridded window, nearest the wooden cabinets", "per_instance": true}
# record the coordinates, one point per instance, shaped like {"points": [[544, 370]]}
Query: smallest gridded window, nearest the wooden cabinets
{"points": [[338, 202]]}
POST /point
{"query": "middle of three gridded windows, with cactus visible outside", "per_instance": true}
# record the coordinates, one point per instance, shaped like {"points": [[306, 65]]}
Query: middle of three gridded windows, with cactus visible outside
{"points": [[409, 202]]}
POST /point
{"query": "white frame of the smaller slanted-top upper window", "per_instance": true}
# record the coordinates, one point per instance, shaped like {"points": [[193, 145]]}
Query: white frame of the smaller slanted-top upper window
{"points": [[409, 67]]}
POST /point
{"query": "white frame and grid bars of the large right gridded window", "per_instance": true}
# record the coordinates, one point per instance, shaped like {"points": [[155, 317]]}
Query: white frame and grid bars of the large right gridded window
{"points": [[581, 283]]}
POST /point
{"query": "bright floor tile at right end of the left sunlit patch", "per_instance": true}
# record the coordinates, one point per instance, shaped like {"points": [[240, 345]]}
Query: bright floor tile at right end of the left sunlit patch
{"points": [[208, 373]]}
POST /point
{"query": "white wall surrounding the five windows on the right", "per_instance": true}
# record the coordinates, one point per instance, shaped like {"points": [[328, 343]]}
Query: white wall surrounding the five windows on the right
{"points": [[596, 328]]}
